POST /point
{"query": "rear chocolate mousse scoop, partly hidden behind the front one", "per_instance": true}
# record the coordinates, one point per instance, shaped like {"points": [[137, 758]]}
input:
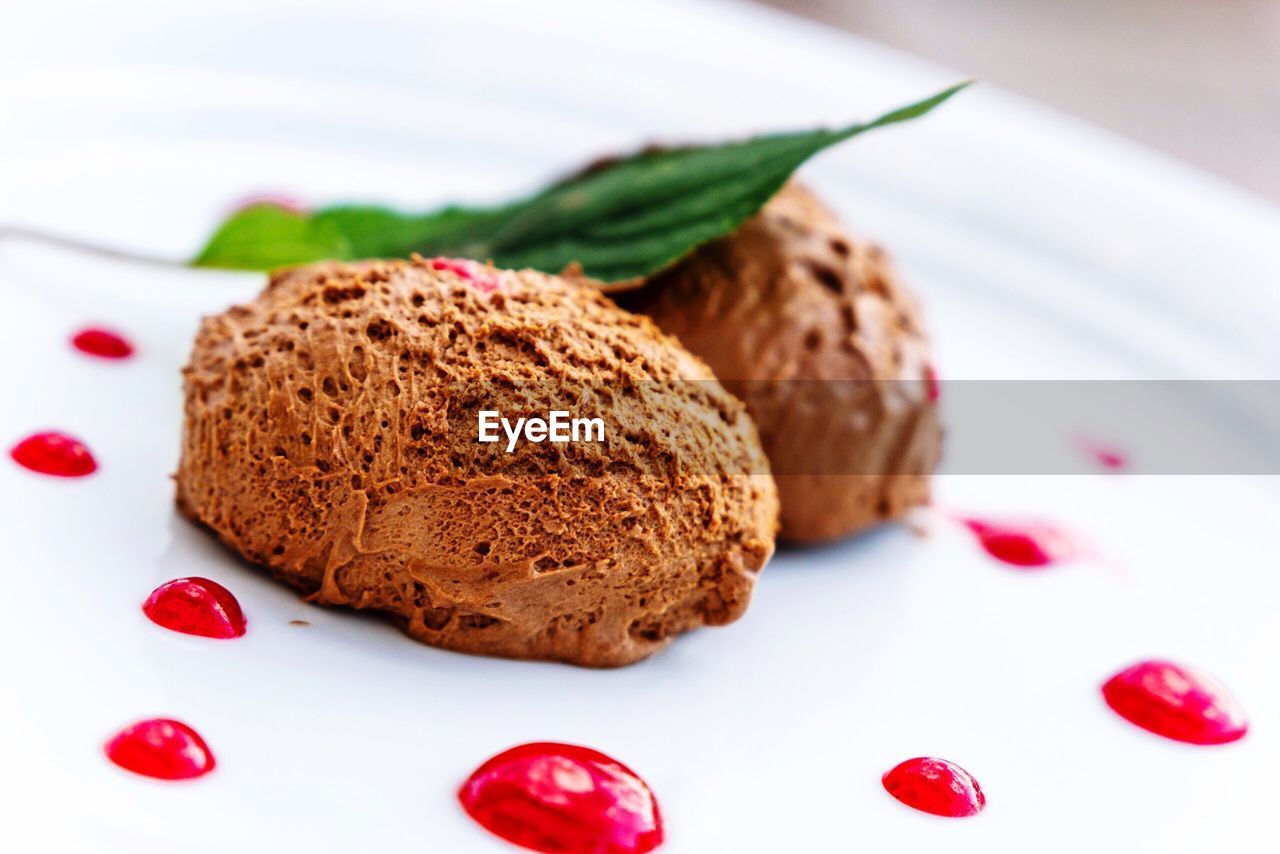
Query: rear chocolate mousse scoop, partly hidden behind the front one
{"points": [[813, 332]]}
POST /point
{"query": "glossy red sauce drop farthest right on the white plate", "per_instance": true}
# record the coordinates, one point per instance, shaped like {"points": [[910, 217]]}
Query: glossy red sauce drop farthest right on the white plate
{"points": [[1176, 702]]}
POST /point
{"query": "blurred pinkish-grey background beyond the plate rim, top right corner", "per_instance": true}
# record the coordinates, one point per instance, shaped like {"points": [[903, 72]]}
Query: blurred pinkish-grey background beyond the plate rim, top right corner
{"points": [[1196, 79]]}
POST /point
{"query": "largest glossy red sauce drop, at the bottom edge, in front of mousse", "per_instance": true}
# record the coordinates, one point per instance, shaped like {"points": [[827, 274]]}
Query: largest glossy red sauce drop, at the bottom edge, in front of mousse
{"points": [[564, 798]]}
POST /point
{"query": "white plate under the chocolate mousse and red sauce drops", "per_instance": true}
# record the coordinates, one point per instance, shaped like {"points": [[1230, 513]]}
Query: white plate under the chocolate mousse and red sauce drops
{"points": [[1043, 250]]}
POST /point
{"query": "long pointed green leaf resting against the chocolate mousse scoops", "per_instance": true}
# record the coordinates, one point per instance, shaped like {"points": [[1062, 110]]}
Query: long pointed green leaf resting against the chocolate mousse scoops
{"points": [[620, 221]]}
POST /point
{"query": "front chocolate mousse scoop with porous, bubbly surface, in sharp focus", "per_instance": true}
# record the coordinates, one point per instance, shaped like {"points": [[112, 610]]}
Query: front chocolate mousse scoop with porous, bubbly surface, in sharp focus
{"points": [[331, 436]]}
